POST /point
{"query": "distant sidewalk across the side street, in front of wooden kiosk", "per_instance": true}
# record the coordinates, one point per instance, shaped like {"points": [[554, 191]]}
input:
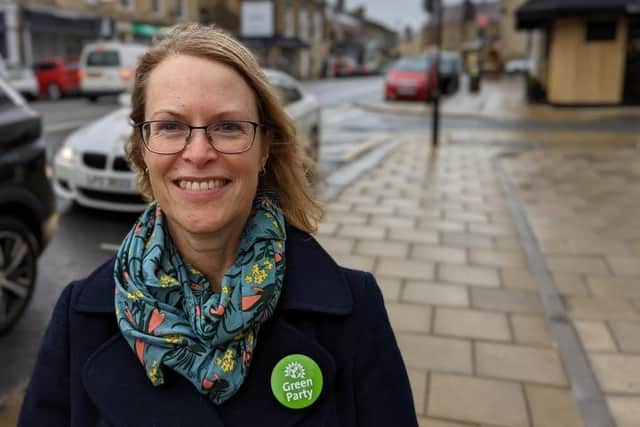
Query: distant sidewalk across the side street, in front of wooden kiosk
{"points": [[502, 99]]}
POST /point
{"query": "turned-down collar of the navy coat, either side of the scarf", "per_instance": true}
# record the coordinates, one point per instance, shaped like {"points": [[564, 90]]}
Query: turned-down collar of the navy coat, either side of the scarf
{"points": [[313, 281]]}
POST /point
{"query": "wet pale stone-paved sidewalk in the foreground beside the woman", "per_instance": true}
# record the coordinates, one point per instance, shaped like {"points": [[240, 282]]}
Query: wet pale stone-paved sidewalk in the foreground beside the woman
{"points": [[438, 231]]}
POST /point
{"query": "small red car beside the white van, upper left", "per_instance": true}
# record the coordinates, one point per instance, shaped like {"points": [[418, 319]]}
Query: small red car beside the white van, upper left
{"points": [[57, 77]]}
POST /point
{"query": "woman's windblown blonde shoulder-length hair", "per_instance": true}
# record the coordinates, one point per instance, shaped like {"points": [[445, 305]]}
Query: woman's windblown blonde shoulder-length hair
{"points": [[285, 168]]}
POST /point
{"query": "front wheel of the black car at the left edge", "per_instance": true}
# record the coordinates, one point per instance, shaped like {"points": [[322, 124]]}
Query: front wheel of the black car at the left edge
{"points": [[18, 267]]}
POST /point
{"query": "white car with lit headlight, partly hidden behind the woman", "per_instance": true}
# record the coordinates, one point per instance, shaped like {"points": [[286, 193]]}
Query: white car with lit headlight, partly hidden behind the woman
{"points": [[91, 169]]}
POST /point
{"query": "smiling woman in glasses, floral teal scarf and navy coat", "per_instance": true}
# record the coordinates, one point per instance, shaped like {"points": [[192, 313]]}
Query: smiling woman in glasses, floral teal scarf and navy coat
{"points": [[219, 307]]}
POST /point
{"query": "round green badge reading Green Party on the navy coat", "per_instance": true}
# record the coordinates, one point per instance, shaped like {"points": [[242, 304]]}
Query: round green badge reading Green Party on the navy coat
{"points": [[296, 381]]}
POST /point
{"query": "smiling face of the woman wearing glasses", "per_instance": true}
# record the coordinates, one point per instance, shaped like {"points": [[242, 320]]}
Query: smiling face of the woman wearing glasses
{"points": [[199, 92]]}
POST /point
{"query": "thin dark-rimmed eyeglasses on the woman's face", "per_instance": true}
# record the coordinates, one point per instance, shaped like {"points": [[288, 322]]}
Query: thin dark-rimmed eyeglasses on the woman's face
{"points": [[171, 137]]}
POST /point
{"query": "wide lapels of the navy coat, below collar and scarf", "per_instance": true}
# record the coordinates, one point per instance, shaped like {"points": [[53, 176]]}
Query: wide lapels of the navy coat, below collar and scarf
{"points": [[124, 395]]}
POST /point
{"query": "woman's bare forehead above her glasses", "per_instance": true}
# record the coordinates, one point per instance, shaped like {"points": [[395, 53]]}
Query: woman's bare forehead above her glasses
{"points": [[198, 86]]}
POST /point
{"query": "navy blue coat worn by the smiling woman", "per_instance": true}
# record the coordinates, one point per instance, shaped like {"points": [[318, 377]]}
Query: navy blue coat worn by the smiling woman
{"points": [[87, 375]]}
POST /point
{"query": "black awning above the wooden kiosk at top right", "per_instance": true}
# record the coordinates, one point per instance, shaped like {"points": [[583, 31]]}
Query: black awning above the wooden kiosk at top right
{"points": [[536, 13]]}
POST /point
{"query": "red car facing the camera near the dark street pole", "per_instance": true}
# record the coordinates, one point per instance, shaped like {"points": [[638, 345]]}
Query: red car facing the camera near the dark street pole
{"points": [[407, 79]]}
